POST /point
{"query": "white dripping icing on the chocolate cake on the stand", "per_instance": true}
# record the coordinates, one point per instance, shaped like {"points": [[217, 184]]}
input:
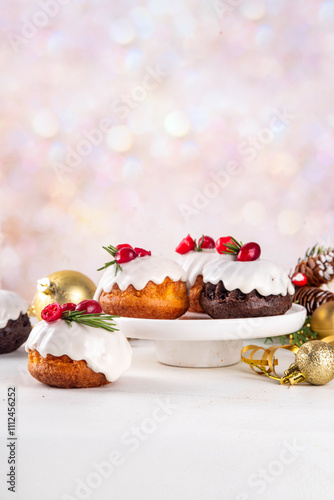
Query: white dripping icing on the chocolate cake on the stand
{"points": [[262, 275]]}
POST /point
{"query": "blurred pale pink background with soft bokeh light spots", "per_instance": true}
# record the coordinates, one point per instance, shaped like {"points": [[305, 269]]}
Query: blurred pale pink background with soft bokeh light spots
{"points": [[140, 121]]}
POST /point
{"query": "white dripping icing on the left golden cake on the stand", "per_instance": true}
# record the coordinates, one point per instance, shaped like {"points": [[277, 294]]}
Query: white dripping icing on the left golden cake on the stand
{"points": [[139, 272]]}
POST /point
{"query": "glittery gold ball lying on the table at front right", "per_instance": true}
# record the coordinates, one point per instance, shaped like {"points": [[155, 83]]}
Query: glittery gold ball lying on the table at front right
{"points": [[315, 360]]}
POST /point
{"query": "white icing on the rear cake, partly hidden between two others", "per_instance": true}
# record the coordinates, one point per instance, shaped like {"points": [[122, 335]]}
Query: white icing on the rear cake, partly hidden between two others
{"points": [[194, 262]]}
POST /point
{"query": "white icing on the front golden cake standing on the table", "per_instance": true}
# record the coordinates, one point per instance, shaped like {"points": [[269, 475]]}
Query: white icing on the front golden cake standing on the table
{"points": [[107, 352]]}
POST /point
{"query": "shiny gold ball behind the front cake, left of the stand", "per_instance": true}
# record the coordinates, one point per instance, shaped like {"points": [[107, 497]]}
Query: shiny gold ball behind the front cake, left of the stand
{"points": [[62, 287]]}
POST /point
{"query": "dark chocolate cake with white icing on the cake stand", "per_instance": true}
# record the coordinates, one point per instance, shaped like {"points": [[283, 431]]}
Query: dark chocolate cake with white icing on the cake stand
{"points": [[245, 289]]}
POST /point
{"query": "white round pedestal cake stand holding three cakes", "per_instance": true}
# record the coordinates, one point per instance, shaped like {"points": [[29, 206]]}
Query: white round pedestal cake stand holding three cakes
{"points": [[198, 341]]}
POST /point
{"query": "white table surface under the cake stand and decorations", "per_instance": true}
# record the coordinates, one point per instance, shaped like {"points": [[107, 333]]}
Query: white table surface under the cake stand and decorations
{"points": [[227, 434]]}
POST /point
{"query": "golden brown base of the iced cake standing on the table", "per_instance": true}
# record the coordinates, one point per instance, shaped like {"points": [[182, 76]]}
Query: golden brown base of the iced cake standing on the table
{"points": [[62, 371]]}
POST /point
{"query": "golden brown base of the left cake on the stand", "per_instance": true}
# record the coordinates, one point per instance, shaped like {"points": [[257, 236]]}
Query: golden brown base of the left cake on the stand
{"points": [[169, 300]]}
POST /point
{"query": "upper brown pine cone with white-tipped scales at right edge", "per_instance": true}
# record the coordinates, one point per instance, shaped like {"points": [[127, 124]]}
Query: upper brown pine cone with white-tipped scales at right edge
{"points": [[318, 266]]}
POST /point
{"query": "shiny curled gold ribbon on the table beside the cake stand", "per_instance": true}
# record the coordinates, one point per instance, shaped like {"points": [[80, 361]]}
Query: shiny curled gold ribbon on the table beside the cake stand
{"points": [[266, 365]]}
